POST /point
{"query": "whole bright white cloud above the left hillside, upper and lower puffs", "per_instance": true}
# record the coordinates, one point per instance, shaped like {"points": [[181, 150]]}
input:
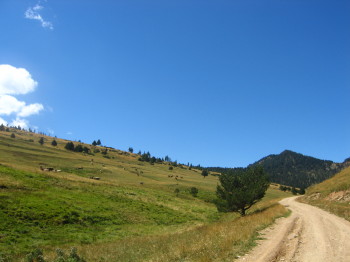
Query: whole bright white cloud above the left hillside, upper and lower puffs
{"points": [[17, 81]]}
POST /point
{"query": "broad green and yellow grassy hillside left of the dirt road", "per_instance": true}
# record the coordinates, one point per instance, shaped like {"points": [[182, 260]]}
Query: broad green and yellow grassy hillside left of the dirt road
{"points": [[132, 205]]}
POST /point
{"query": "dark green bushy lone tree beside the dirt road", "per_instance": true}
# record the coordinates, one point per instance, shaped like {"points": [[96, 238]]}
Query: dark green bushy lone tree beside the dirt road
{"points": [[240, 189]]}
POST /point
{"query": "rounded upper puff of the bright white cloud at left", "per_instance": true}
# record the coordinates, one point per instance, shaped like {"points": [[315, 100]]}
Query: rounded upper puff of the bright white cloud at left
{"points": [[15, 81]]}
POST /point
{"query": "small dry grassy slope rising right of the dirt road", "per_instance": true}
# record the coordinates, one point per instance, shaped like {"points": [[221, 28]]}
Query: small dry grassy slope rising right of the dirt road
{"points": [[332, 195]]}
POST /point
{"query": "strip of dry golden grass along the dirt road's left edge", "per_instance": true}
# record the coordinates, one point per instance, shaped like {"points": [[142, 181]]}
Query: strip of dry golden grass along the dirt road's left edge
{"points": [[221, 241]]}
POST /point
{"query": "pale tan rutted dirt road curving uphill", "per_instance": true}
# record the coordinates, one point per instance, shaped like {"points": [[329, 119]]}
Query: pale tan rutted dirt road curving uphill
{"points": [[309, 234]]}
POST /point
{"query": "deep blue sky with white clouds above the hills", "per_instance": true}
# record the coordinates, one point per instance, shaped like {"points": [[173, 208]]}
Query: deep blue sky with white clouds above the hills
{"points": [[216, 83]]}
